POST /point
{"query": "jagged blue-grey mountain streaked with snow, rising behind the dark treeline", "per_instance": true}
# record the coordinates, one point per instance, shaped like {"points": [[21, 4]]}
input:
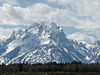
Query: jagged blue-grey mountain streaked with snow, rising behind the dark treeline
{"points": [[42, 43]]}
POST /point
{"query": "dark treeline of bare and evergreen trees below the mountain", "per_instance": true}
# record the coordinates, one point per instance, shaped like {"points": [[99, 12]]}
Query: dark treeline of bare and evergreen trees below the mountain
{"points": [[51, 67]]}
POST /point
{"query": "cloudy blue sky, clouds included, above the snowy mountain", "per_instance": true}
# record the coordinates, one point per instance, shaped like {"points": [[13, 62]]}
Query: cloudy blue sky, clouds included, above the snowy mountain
{"points": [[80, 19]]}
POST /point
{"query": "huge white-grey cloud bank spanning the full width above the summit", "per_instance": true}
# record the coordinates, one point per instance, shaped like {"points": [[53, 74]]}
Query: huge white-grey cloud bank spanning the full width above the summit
{"points": [[80, 14]]}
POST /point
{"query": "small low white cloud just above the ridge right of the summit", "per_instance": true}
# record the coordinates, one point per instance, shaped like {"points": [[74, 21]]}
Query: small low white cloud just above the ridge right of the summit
{"points": [[81, 37]]}
